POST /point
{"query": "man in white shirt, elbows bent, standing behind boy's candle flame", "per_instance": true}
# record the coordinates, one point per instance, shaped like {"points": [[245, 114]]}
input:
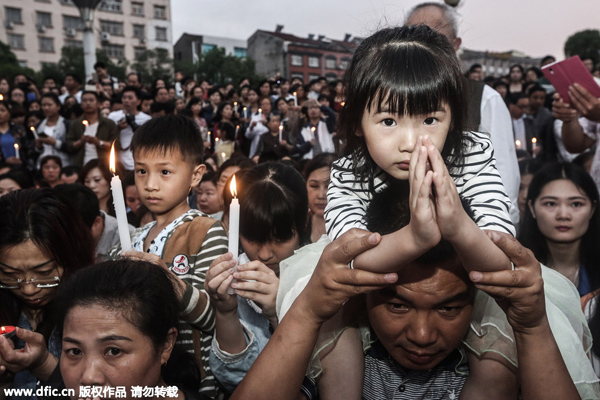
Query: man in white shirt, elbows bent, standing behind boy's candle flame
{"points": [[128, 120]]}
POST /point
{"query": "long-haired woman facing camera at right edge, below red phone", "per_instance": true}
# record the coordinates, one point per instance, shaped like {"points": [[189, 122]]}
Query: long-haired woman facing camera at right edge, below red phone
{"points": [[562, 223]]}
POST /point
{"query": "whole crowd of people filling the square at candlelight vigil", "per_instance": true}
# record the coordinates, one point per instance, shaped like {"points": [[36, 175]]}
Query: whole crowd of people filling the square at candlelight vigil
{"points": [[409, 232]]}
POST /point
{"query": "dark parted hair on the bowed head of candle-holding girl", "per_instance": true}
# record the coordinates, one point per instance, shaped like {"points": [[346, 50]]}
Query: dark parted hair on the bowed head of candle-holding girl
{"points": [[274, 204]]}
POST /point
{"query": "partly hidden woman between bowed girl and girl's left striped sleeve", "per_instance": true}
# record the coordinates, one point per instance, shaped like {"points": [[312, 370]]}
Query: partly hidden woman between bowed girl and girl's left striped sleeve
{"points": [[316, 174]]}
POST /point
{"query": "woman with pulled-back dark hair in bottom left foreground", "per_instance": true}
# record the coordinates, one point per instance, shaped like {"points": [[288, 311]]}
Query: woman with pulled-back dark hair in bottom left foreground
{"points": [[119, 326]]}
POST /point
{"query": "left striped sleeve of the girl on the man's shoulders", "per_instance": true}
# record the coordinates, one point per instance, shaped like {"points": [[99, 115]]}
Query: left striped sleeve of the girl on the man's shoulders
{"points": [[347, 200]]}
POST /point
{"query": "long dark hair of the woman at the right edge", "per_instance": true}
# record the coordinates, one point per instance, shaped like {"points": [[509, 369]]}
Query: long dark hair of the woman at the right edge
{"points": [[530, 235]]}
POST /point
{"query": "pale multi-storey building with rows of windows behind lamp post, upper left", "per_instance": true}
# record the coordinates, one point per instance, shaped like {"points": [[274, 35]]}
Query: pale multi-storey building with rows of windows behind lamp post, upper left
{"points": [[36, 30]]}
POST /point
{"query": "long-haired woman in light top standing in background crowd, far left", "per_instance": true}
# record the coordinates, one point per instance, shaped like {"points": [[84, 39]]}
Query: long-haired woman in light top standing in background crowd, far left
{"points": [[52, 131]]}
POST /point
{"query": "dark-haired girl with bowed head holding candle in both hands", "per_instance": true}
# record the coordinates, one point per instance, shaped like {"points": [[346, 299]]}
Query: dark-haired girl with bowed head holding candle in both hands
{"points": [[273, 224]]}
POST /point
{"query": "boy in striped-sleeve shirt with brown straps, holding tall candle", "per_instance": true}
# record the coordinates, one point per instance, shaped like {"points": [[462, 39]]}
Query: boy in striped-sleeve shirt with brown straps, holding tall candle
{"points": [[182, 240]]}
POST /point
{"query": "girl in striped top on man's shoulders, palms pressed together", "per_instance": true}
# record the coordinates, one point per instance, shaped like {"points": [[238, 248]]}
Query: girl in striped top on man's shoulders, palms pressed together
{"points": [[403, 121]]}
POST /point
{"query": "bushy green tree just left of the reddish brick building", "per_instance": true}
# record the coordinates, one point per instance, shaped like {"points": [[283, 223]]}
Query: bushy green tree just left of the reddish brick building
{"points": [[220, 68]]}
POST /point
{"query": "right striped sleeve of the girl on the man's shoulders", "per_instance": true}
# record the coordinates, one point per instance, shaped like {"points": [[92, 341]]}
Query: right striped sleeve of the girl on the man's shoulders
{"points": [[481, 185]]}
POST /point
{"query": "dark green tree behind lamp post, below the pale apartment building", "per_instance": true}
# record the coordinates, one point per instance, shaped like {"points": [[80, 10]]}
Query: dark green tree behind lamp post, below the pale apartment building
{"points": [[71, 62]]}
